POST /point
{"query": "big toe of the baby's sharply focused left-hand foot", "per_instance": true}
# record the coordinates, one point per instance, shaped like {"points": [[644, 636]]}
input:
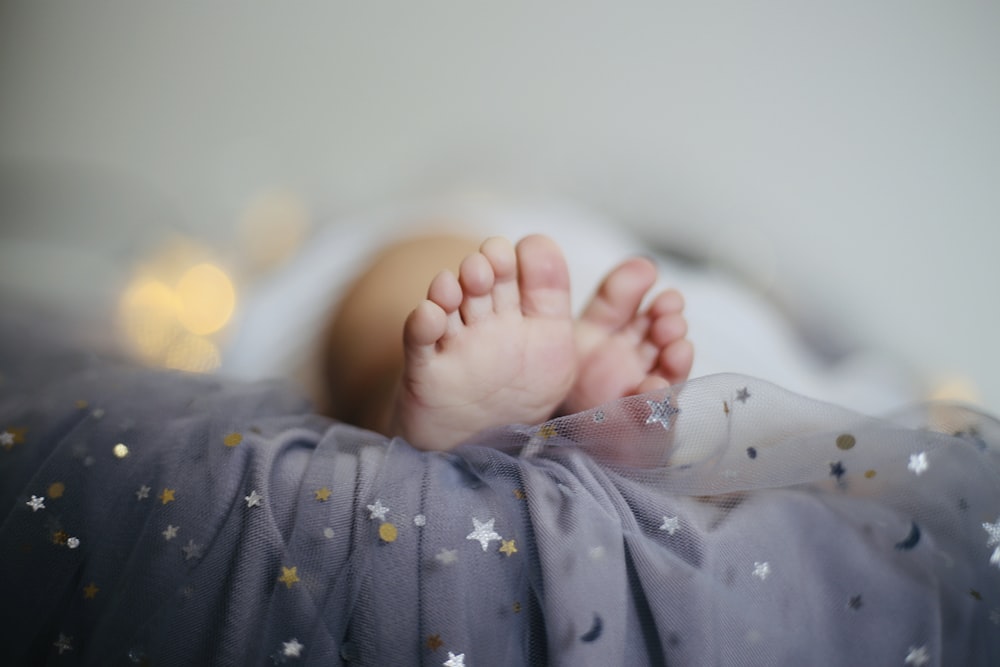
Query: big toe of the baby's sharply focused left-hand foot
{"points": [[543, 278]]}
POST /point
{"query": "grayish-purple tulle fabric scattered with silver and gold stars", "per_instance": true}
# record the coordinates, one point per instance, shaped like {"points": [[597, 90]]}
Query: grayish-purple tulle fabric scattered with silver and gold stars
{"points": [[165, 519]]}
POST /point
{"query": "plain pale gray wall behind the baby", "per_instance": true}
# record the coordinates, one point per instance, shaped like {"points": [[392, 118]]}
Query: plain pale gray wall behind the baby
{"points": [[845, 153]]}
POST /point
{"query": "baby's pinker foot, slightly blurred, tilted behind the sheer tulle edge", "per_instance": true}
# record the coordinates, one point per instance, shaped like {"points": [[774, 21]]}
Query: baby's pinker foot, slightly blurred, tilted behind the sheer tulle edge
{"points": [[624, 351]]}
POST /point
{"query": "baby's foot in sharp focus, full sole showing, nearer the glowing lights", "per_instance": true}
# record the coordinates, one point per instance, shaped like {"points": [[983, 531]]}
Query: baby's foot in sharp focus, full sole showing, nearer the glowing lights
{"points": [[494, 346]]}
